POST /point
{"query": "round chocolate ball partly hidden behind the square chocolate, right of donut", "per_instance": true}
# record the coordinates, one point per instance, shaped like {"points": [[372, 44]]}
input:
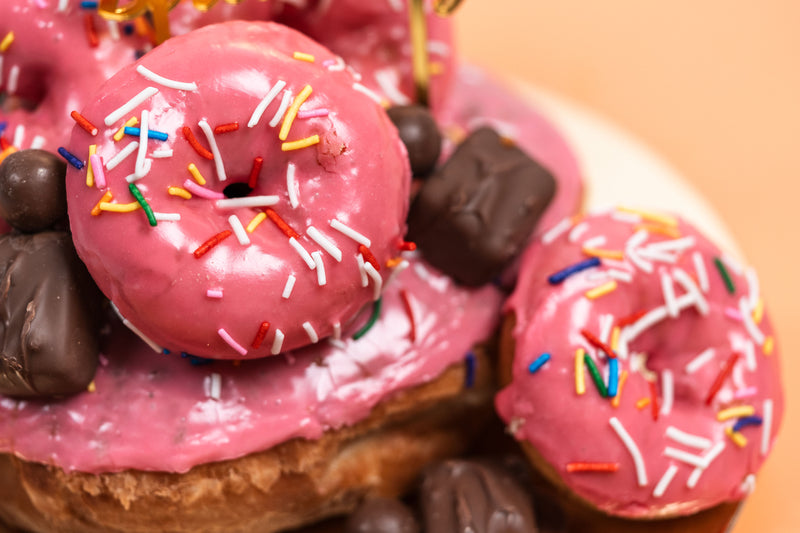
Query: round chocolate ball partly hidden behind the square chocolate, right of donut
{"points": [[419, 133]]}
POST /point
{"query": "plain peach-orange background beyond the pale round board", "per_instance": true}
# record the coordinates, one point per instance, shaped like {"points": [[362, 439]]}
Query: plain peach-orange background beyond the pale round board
{"points": [[714, 87]]}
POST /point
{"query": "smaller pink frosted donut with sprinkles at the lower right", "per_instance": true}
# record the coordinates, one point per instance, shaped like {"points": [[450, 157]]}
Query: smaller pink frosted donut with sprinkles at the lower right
{"points": [[698, 399]]}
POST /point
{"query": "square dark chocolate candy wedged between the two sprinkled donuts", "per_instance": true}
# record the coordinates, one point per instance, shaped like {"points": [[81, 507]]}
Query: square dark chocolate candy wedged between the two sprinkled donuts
{"points": [[474, 215]]}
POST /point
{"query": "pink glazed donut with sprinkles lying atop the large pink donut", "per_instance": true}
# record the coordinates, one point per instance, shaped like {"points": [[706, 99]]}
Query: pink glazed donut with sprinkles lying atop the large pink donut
{"points": [[269, 269]]}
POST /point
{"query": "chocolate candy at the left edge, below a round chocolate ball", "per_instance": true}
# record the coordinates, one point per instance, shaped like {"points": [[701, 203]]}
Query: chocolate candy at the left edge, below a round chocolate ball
{"points": [[49, 308]]}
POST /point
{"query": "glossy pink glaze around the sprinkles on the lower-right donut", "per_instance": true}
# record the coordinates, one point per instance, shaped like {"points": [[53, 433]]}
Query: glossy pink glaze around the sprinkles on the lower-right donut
{"points": [[544, 409]]}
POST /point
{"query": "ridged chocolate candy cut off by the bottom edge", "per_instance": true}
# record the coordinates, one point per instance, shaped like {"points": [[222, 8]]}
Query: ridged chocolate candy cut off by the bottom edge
{"points": [[467, 496]]}
